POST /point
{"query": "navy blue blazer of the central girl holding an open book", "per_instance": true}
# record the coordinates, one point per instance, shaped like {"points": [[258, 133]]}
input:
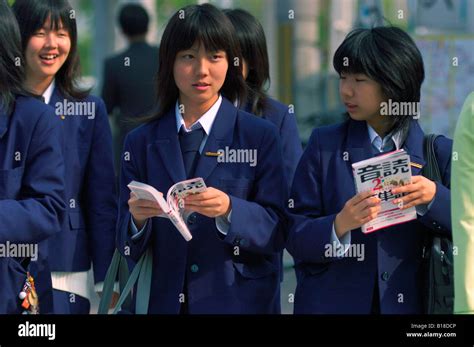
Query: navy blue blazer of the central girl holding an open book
{"points": [[238, 273]]}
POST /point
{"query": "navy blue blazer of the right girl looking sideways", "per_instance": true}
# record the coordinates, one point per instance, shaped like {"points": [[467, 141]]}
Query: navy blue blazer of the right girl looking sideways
{"points": [[323, 183]]}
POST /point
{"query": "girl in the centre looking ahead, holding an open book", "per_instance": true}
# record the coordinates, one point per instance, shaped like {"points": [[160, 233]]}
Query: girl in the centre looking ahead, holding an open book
{"points": [[231, 265]]}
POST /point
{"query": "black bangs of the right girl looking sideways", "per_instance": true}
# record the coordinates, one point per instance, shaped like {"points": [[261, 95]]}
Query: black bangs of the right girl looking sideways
{"points": [[356, 55]]}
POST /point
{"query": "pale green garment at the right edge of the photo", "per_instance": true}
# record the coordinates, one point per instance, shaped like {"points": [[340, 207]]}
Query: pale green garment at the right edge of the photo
{"points": [[463, 209]]}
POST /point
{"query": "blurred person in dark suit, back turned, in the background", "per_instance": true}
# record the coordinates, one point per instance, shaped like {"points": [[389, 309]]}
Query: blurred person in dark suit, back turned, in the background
{"points": [[129, 87]]}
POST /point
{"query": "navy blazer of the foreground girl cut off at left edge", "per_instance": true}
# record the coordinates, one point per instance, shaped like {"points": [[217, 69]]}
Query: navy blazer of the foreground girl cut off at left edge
{"points": [[31, 193]]}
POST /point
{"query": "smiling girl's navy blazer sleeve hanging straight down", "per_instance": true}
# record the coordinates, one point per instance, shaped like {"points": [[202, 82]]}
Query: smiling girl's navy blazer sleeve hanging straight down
{"points": [[100, 195]]}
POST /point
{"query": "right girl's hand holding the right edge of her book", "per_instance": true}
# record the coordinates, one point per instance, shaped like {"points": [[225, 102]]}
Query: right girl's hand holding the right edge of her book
{"points": [[421, 191]]}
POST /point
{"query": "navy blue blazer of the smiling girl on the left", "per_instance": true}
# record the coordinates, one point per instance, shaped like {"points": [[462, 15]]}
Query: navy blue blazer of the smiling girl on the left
{"points": [[89, 228]]}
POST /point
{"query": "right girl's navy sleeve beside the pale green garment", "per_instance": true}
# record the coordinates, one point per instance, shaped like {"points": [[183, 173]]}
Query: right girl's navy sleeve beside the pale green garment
{"points": [[438, 217]]}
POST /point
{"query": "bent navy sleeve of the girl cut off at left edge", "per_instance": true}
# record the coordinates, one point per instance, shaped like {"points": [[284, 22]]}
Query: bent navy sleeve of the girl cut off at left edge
{"points": [[39, 211]]}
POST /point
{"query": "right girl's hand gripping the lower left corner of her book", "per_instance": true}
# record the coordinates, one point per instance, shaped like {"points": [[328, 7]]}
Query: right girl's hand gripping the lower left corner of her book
{"points": [[357, 211]]}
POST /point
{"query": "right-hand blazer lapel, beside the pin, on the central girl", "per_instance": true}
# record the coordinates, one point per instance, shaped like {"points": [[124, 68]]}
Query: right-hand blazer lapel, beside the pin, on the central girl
{"points": [[221, 135]]}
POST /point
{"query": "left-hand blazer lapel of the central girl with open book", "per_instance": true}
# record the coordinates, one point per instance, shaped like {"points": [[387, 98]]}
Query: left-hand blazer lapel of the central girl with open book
{"points": [[167, 145]]}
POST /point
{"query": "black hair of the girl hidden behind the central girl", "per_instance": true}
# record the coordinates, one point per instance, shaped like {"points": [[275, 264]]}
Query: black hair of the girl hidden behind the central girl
{"points": [[253, 44]]}
